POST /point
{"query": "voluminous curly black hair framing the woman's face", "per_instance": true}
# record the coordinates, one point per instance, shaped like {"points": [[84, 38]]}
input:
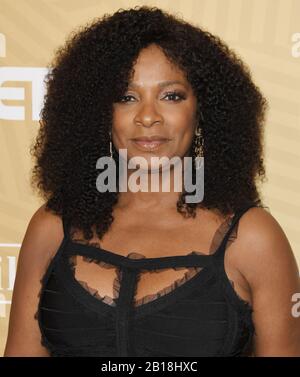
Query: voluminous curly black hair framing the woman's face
{"points": [[92, 71]]}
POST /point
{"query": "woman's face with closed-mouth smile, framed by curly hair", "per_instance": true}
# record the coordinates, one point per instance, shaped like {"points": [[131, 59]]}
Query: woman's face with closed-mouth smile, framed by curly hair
{"points": [[154, 105]]}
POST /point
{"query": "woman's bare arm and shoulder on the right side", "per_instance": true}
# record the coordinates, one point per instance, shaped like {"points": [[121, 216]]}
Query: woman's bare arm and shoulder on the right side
{"points": [[268, 263]]}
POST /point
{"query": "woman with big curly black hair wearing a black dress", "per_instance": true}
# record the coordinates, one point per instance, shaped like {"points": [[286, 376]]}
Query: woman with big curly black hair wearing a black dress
{"points": [[148, 273]]}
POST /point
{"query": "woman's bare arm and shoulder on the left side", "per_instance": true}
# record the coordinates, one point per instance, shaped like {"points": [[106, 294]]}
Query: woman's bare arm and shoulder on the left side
{"points": [[42, 239]]}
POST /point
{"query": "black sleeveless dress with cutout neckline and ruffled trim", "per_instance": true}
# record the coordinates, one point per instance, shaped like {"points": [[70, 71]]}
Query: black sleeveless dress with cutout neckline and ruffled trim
{"points": [[198, 315]]}
